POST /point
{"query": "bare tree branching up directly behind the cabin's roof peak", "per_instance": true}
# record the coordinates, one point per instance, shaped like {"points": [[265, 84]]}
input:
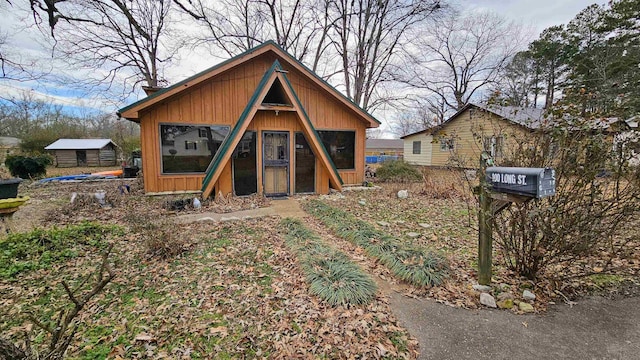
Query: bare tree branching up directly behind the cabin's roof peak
{"points": [[299, 27]]}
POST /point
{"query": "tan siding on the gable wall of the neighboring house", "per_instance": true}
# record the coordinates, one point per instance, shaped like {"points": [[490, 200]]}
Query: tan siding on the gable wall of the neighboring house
{"points": [[467, 146]]}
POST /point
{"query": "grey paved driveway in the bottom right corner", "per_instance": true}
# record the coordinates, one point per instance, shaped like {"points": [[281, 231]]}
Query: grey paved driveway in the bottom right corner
{"points": [[594, 328]]}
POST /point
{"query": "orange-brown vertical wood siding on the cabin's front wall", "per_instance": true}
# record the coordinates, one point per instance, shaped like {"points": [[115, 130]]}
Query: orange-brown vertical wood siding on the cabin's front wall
{"points": [[221, 101]]}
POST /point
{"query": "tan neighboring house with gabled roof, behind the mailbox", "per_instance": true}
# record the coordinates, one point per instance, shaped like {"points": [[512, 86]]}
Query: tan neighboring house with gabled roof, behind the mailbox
{"points": [[460, 140]]}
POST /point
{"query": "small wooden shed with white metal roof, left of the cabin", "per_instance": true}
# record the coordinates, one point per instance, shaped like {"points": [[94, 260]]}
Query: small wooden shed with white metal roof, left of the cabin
{"points": [[83, 152]]}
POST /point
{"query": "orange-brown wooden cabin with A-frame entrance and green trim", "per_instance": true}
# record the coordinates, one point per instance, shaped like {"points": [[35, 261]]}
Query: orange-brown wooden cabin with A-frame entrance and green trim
{"points": [[260, 122]]}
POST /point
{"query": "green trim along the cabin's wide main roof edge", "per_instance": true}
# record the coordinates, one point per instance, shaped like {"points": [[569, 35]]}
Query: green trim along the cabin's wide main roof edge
{"points": [[269, 42]]}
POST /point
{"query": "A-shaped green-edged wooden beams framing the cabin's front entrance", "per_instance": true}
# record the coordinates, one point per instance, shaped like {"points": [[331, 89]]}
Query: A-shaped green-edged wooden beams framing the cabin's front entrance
{"points": [[229, 144]]}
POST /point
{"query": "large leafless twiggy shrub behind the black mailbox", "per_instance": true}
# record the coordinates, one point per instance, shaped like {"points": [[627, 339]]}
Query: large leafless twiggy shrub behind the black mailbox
{"points": [[588, 221]]}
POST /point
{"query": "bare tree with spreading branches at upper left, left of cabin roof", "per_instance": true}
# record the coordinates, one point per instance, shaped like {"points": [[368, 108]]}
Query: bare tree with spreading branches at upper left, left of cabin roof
{"points": [[127, 38]]}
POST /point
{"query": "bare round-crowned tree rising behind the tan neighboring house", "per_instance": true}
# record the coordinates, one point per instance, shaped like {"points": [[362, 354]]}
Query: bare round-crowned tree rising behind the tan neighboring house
{"points": [[457, 56]]}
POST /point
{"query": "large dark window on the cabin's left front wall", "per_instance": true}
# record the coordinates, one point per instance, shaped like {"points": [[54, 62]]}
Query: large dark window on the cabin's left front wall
{"points": [[188, 148]]}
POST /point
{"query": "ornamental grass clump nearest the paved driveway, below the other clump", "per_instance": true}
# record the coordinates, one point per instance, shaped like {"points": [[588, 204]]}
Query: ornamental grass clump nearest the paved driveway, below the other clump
{"points": [[331, 275]]}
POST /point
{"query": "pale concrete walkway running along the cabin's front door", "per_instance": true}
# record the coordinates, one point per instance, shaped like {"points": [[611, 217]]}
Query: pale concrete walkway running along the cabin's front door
{"points": [[288, 207]]}
